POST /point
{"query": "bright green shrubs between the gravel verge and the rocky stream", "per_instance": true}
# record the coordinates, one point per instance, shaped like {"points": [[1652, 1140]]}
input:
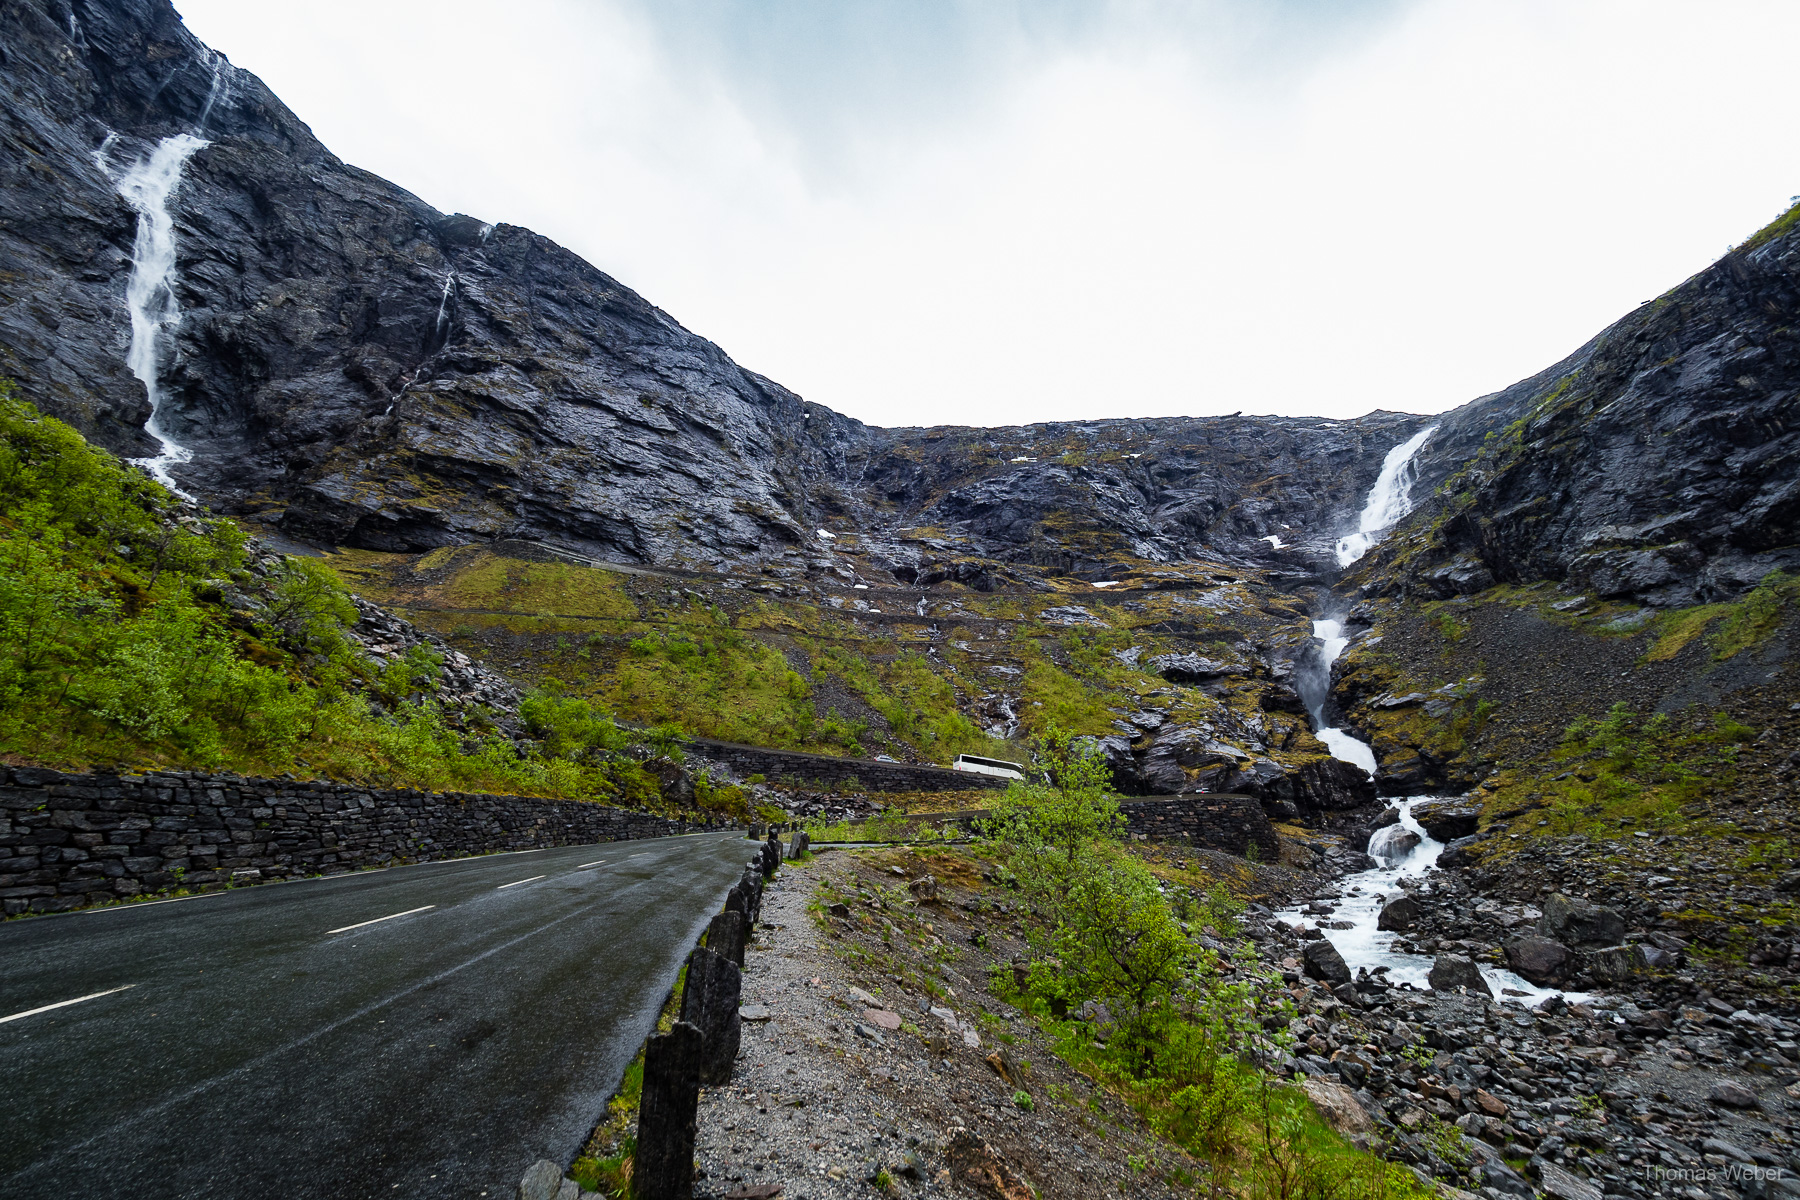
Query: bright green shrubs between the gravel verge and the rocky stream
{"points": [[1133, 983]]}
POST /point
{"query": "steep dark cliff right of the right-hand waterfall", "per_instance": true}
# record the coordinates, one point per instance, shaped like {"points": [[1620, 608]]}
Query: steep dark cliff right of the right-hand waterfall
{"points": [[1660, 463]]}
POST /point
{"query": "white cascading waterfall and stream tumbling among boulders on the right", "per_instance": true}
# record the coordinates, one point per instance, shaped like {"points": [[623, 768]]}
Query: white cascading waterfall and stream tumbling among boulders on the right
{"points": [[1403, 850]]}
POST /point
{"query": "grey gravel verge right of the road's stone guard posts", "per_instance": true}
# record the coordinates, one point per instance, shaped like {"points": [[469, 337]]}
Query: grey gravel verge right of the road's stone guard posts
{"points": [[820, 1109]]}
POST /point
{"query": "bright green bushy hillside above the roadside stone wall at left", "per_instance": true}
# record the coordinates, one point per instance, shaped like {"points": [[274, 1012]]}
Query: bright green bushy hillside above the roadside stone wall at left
{"points": [[138, 632]]}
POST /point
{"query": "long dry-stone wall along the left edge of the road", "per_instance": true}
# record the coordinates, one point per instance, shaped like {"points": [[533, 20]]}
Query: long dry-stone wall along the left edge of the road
{"points": [[73, 841]]}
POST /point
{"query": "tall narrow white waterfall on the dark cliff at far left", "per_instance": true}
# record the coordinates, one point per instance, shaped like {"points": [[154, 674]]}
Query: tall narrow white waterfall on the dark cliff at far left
{"points": [[150, 292]]}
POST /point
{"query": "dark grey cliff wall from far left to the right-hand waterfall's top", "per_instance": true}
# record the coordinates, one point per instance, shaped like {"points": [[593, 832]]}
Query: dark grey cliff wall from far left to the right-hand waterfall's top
{"points": [[357, 368]]}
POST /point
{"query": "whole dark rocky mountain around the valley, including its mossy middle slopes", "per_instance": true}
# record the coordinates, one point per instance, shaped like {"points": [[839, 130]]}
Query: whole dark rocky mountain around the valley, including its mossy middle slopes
{"points": [[343, 366]]}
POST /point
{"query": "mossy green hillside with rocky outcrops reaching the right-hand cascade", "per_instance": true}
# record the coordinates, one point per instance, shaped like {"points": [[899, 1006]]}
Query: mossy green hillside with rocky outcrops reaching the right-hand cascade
{"points": [[1185, 674]]}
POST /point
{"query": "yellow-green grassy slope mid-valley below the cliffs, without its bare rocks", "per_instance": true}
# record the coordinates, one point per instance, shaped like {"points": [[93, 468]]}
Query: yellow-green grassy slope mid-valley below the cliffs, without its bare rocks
{"points": [[728, 663]]}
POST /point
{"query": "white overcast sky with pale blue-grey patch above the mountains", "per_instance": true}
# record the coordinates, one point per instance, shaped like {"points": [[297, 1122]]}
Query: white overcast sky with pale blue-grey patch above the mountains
{"points": [[991, 211]]}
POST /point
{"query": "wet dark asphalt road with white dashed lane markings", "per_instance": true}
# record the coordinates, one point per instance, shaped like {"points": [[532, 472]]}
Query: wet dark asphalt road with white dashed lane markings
{"points": [[287, 1041]]}
